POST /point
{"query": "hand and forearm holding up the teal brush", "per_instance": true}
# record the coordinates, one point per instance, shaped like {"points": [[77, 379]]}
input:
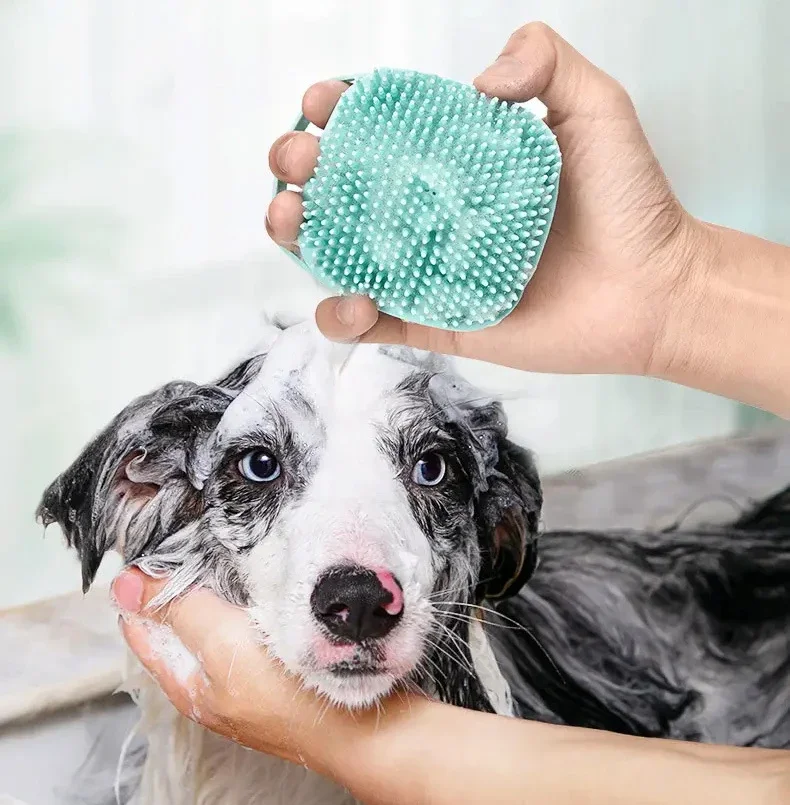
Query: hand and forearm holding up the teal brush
{"points": [[629, 282]]}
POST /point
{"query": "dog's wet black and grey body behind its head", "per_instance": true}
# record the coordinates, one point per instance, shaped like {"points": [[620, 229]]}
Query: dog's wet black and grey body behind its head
{"points": [[680, 634]]}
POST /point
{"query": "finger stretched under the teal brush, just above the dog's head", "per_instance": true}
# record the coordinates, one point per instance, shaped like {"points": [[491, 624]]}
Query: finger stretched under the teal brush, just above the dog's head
{"points": [[349, 318]]}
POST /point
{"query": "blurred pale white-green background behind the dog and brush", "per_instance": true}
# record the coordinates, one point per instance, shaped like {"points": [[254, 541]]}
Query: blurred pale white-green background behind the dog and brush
{"points": [[134, 183]]}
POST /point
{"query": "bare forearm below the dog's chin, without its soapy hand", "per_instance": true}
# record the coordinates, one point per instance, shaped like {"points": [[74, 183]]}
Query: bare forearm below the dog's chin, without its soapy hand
{"points": [[422, 753]]}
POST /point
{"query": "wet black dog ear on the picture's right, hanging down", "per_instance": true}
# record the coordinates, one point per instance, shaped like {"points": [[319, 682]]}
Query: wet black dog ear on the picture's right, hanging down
{"points": [[510, 510]]}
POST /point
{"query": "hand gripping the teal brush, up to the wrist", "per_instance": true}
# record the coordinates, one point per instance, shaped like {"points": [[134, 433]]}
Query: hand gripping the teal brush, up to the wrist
{"points": [[614, 264]]}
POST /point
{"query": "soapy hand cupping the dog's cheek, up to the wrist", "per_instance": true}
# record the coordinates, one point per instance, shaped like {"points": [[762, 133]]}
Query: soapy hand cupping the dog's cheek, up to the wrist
{"points": [[222, 677]]}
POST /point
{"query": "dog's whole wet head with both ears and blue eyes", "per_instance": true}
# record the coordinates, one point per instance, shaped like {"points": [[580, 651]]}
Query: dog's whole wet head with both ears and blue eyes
{"points": [[357, 499]]}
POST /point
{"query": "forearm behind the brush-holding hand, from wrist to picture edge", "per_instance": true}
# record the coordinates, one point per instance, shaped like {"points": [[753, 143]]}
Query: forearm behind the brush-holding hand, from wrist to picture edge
{"points": [[729, 332]]}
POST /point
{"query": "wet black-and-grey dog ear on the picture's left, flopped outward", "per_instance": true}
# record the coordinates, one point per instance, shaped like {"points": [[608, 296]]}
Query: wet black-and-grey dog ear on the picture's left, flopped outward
{"points": [[132, 486]]}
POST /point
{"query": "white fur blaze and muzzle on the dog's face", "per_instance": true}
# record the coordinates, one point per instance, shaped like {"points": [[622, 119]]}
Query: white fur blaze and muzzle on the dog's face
{"points": [[354, 511]]}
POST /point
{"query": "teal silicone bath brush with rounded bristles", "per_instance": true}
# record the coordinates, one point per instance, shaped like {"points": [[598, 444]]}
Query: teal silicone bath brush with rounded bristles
{"points": [[430, 198]]}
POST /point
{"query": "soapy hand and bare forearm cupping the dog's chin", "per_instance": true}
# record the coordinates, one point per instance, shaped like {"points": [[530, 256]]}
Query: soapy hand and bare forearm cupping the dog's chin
{"points": [[417, 751]]}
